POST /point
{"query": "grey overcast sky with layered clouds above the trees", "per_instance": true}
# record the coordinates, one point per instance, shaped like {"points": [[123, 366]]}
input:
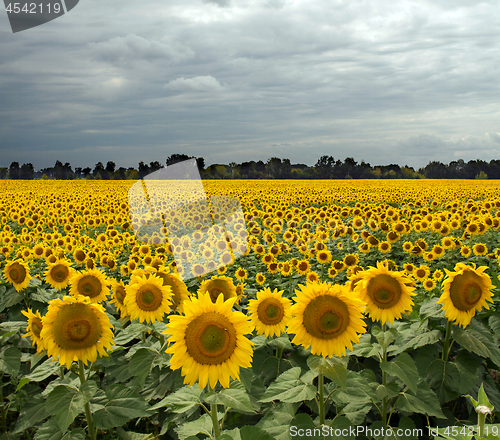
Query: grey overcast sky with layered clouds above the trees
{"points": [[402, 82]]}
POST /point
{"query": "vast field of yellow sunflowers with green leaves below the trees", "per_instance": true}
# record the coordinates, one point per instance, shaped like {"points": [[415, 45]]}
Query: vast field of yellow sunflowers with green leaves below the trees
{"points": [[328, 310]]}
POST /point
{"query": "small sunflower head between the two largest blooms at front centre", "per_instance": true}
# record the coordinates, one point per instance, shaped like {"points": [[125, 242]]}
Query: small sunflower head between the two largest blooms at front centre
{"points": [[270, 312]]}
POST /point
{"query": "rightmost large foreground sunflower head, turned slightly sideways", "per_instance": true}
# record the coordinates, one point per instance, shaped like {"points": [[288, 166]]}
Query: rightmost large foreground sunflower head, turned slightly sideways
{"points": [[464, 291]]}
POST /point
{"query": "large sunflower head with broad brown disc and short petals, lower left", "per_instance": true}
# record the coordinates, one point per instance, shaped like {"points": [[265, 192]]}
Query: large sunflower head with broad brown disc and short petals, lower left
{"points": [[75, 329]]}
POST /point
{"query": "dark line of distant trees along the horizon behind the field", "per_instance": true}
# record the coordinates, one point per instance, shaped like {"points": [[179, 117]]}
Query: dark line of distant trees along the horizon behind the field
{"points": [[275, 168]]}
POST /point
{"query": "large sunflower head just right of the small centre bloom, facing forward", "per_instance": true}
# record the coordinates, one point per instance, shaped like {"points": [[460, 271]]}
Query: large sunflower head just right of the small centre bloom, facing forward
{"points": [[326, 318]]}
